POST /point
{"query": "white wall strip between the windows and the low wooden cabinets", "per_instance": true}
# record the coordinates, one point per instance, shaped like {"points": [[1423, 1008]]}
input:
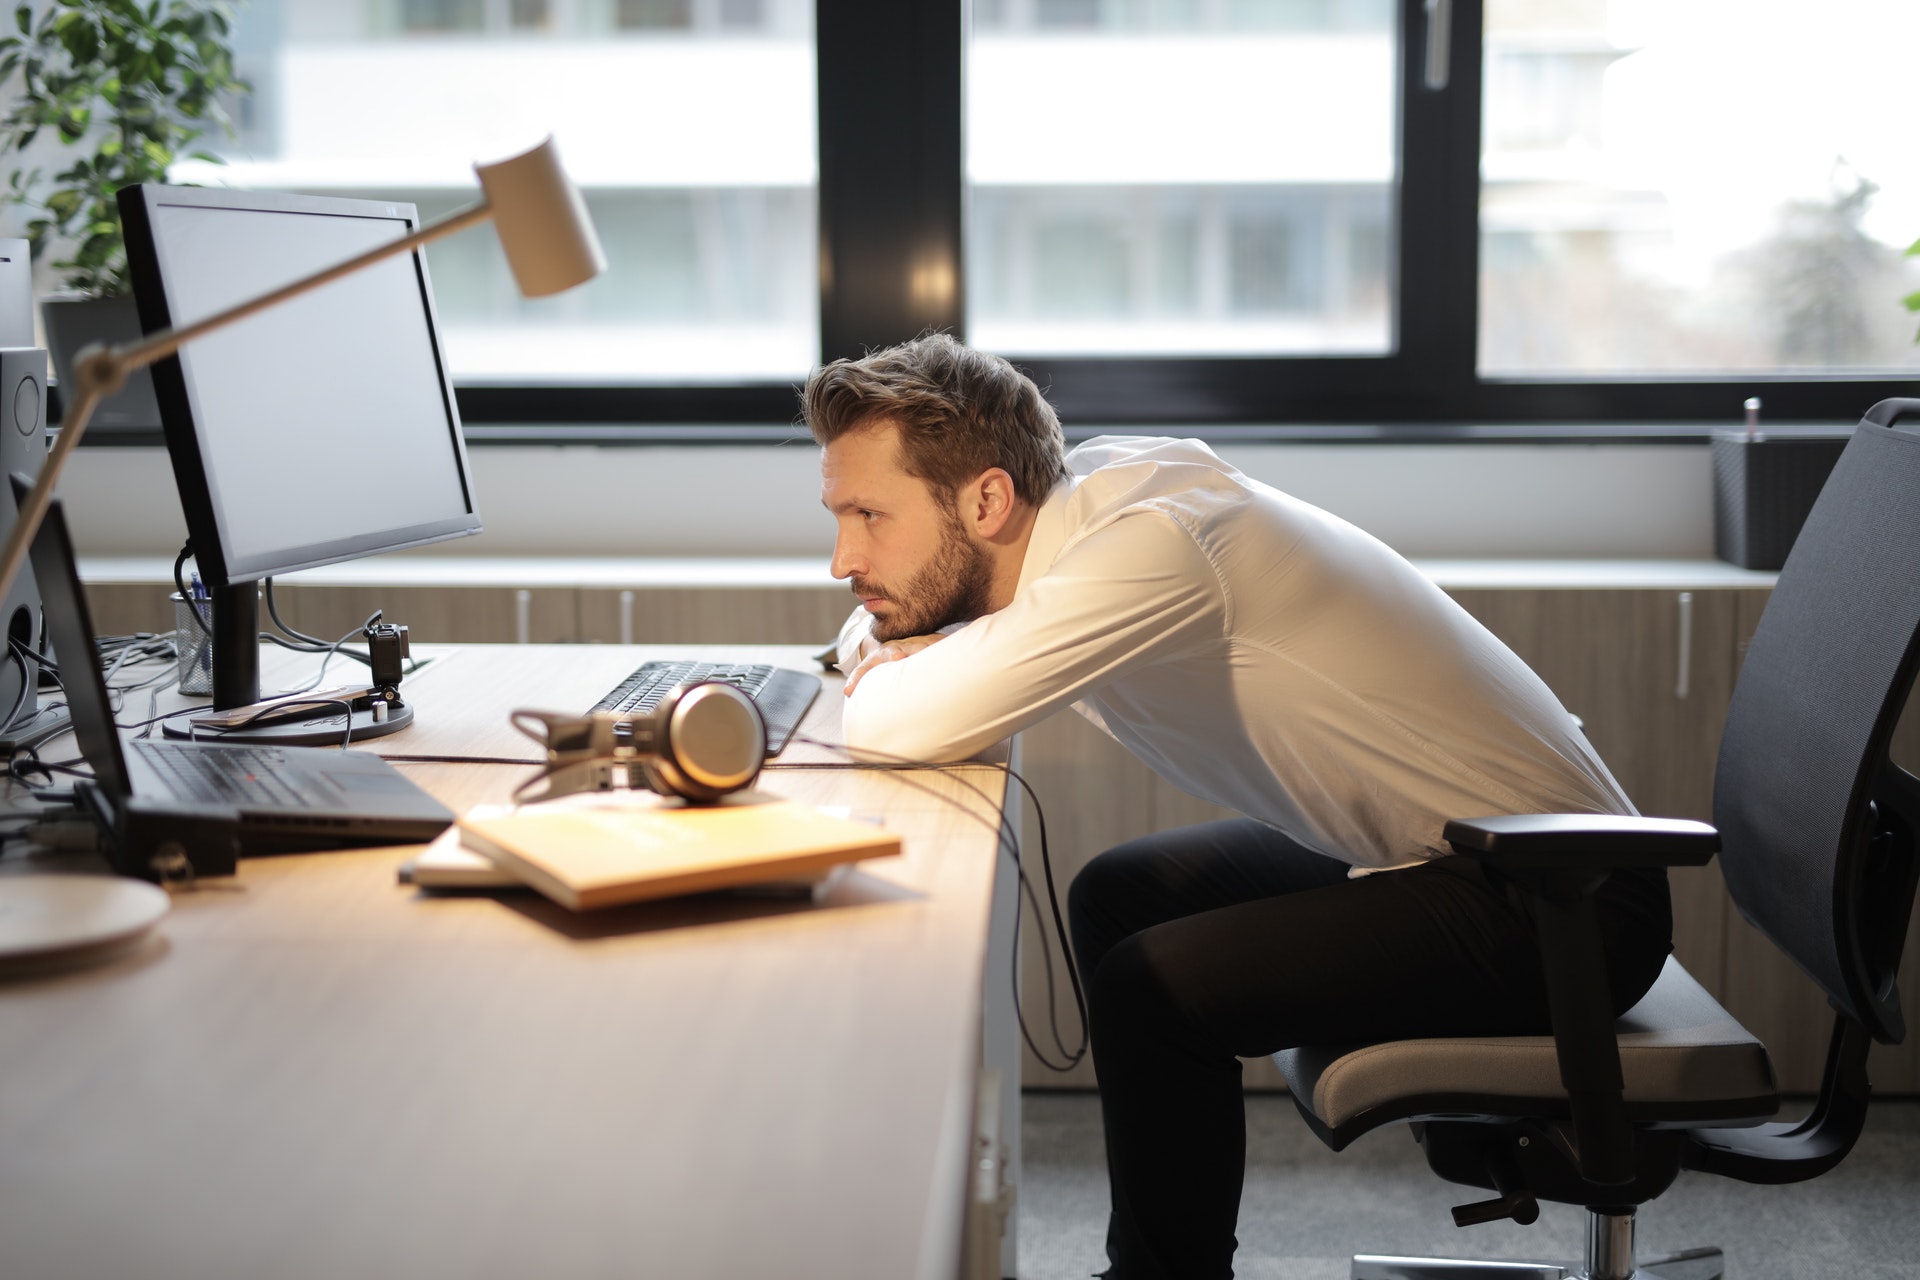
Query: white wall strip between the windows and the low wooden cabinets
{"points": [[1422, 500]]}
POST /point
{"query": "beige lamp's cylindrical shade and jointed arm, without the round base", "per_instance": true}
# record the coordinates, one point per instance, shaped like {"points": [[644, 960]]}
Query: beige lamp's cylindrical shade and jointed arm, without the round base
{"points": [[542, 225]]}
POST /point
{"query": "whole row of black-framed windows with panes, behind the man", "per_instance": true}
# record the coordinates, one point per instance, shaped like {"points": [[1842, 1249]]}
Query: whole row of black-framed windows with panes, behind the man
{"points": [[1220, 216]]}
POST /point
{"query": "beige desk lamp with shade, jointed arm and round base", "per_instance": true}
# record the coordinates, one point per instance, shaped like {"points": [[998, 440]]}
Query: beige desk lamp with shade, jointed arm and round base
{"points": [[550, 243]]}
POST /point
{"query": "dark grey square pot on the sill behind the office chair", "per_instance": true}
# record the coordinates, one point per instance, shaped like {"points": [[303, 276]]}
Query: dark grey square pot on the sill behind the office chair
{"points": [[1764, 486]]}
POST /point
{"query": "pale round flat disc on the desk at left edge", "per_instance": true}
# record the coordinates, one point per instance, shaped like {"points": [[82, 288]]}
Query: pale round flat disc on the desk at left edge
{"points": [[49, 920]]}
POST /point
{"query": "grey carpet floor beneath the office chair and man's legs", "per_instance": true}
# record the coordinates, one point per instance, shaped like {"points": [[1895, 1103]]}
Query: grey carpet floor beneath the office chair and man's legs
{"points": [[1307, 1210]]}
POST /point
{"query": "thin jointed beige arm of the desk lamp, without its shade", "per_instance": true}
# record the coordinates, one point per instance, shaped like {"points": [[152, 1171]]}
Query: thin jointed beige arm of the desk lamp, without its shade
{"points": [[103, 371]]}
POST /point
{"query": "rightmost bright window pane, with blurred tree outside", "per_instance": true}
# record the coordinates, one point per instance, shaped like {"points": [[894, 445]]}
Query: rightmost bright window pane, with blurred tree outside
{"points": [[1698, 187]]}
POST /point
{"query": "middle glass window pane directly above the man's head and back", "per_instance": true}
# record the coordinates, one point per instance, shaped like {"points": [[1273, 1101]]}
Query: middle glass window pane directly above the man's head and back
{"points": [[1168, 178]]}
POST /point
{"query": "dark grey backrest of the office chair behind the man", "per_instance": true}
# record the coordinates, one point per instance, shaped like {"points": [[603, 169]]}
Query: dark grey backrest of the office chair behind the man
{"points": [[1815, 822]]}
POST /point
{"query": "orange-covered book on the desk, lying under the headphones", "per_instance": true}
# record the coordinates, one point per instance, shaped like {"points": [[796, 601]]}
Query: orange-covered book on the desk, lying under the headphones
{"points": [[602, 857]]}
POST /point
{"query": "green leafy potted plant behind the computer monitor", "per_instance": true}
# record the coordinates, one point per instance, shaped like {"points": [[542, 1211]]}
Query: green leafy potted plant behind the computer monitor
{"points": [[126, 87]]}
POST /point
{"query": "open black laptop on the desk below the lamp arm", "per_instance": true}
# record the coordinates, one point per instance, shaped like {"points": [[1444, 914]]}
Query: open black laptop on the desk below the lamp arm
{"points": [[283, 799]]}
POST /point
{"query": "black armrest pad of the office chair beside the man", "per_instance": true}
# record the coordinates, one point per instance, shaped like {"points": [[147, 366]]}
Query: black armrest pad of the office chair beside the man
{"points": [[1583, 841]]}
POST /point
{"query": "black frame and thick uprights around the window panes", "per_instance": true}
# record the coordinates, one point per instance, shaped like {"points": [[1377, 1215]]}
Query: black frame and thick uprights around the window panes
{"points": [[892, 202]]}
